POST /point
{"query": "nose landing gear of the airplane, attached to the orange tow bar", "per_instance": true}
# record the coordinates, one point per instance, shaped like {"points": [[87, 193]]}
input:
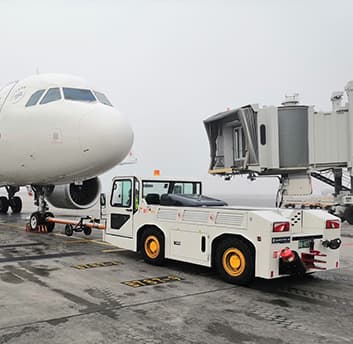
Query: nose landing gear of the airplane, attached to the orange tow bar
{"points": [[39, 218]]}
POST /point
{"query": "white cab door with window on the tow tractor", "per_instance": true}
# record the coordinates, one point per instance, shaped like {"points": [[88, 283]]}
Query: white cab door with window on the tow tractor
{"points": [[121, 208]]}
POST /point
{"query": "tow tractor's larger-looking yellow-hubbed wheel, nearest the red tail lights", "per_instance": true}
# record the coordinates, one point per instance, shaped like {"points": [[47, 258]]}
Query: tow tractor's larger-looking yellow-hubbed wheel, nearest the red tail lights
{"points": [[235, 261]]}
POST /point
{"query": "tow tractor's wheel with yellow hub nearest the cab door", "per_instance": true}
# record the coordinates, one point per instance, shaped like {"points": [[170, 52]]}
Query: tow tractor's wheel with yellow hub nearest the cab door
{"points": [[152, 246]]}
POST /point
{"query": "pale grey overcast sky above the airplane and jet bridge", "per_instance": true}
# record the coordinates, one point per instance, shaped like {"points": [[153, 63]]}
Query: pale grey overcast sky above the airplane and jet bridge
{"points": [[170, 64]]}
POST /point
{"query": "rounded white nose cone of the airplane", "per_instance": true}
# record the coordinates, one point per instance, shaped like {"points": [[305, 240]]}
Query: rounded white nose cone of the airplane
{"points": [[106, 137]]}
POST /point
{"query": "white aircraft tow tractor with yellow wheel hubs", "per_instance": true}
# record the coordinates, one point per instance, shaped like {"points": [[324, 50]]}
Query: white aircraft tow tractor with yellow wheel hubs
{"points": [[169, 218]]}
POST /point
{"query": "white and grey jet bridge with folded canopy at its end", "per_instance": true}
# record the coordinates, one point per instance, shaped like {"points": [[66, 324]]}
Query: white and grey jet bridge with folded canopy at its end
{"points": [[290, 140]]}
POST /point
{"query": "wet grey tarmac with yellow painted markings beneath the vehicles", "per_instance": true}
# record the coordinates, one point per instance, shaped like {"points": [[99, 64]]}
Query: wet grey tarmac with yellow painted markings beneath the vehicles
{"points": [[59, 289]]}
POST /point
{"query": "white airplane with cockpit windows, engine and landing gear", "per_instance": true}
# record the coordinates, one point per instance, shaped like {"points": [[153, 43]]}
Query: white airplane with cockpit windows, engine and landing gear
{"points": [[57, 134]]}
